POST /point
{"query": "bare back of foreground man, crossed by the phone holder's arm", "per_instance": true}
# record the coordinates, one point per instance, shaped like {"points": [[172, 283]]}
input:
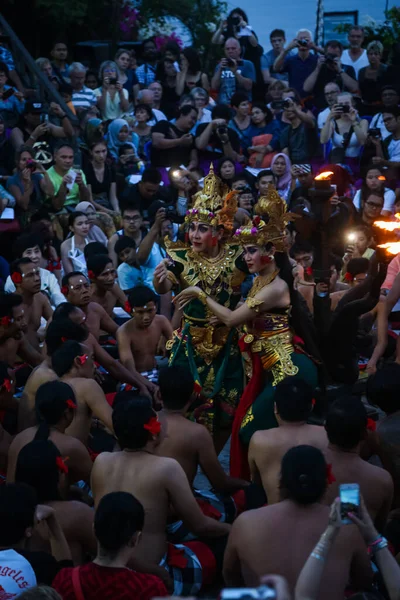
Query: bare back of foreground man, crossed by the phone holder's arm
{"points": [[262, 539]]}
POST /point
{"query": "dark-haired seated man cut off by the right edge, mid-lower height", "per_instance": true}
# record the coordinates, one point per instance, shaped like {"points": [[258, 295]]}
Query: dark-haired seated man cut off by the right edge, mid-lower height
{"points": [[383, 390]]}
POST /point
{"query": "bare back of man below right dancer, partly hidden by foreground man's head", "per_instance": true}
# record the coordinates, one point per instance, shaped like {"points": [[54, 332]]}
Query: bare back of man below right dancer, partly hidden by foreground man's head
{"points": [[267, 448]]}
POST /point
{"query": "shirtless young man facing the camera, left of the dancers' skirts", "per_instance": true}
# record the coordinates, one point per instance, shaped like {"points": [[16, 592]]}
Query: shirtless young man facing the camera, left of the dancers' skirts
{"points": [[139, 338]]}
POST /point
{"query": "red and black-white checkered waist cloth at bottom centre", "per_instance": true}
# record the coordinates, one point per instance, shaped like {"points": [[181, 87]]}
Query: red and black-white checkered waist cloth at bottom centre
{"points": [[191, 566]]}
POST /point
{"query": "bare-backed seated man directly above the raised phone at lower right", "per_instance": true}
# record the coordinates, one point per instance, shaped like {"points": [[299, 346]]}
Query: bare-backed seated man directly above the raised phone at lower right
{"points": [[346, 427]]}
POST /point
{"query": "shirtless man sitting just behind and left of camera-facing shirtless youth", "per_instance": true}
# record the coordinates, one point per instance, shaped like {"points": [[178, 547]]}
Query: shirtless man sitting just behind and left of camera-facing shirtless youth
{"points": [[105, 289]]}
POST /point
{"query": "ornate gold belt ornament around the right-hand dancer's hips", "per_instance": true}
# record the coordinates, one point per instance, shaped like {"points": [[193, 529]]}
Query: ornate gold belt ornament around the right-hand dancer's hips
{"points": [[276, 350]]}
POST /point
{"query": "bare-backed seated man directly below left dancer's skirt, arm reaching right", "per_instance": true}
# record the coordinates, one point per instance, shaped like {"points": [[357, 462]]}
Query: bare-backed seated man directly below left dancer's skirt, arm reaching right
{"points": [[192, 446]]}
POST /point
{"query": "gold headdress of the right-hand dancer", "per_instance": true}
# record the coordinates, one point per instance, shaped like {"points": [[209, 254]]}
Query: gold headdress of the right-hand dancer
{"points": [[268, 226]]}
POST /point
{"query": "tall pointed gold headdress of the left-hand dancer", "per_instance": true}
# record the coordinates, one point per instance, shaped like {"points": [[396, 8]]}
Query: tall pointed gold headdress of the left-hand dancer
{"points": [[214, 204]]}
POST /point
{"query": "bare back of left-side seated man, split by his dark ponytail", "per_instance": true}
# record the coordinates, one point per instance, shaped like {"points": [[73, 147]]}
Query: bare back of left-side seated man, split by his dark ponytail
{"points": [[79, 461]]}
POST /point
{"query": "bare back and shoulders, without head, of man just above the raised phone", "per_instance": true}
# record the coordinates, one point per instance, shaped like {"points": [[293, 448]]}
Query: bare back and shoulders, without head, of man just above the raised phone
{"points": [[375, 483]]}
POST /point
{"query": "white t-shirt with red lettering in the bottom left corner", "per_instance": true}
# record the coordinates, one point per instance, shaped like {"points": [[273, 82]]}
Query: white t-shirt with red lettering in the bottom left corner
{"points": [[16, 574]]}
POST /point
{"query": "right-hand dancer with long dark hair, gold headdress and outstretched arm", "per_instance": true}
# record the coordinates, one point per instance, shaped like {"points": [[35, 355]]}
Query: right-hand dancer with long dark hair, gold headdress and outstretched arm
{"points": [[268, 317]]}
